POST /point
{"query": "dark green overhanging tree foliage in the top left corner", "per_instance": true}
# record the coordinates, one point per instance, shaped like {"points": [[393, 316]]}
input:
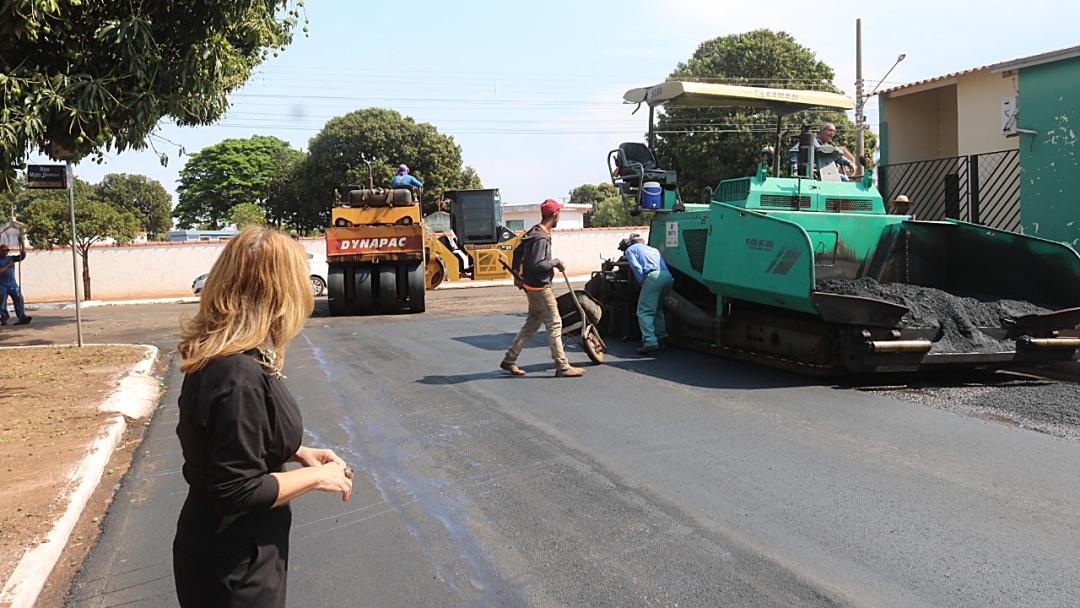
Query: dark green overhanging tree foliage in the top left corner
{"points": [[83, 78]]}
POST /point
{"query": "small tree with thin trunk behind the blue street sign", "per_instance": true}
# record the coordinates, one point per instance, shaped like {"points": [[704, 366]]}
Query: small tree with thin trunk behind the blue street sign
{"points": [[48, 219]]}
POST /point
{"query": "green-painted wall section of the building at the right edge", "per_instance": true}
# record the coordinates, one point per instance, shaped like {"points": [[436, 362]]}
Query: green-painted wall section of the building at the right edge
{"points": [[1050, 170]]}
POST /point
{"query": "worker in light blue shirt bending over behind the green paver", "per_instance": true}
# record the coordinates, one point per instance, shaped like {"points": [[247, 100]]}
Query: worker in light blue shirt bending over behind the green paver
{"points": [[651, 271]]}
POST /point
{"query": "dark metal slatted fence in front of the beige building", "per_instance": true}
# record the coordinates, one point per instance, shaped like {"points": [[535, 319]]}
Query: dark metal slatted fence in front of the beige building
{"points": [[978, 188]]}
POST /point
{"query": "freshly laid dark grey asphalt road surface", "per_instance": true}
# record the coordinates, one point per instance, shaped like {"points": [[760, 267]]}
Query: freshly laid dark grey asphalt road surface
{"points": [[681, 481]]}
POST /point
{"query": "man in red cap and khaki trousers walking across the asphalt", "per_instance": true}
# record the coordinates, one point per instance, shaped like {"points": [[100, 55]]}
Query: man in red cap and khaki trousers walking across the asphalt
{"points": [[534, 269]]}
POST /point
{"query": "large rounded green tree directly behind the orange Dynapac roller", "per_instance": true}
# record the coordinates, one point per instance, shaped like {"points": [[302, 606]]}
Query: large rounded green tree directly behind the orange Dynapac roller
{"points": [[336, 157]]}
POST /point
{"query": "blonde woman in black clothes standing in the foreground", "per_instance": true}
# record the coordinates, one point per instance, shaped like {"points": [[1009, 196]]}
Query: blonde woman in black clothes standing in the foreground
{"points": [[239, 426]]}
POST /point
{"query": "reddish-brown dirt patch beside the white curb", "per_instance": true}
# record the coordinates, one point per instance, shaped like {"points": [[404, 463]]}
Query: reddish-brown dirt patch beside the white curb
{"points": [[50, 416]]}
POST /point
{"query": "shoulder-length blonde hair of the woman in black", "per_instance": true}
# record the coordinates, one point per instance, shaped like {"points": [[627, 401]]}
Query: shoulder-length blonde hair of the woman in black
{"points": [[258, 295]]}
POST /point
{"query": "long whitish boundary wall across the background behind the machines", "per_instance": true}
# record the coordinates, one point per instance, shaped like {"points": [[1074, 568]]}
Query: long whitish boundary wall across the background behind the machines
{"points": [[161, 271]]}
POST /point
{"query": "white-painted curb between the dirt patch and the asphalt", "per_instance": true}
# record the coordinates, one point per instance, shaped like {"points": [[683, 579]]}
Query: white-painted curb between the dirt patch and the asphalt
{"points": [[136, 397]]}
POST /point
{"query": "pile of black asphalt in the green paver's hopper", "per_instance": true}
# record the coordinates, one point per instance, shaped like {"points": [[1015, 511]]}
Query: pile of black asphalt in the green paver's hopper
{"points": [[956, 319]]}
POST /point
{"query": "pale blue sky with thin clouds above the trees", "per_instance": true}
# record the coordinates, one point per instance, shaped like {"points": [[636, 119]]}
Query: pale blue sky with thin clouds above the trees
{"points": [[532, 91]]}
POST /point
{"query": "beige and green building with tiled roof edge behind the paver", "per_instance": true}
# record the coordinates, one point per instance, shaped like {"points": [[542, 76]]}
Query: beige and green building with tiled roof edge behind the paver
{"points": [[991, 145]]}
